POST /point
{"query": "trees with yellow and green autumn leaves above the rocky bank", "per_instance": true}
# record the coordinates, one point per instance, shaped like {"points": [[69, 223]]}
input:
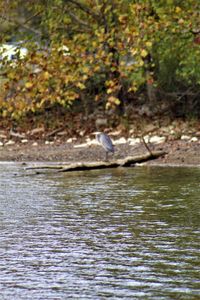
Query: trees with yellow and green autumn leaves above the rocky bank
{"points": [[116, 58]]}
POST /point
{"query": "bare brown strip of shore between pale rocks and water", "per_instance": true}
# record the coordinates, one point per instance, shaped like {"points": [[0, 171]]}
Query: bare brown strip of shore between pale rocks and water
{"points": [[179, 153]]}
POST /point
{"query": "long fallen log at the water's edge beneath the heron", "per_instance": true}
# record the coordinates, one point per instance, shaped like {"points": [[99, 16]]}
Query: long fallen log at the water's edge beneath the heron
{"points": [[82, 166]]}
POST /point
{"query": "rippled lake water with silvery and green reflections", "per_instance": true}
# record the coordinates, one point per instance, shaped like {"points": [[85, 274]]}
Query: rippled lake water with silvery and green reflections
{"points": [[117, 234]]}
